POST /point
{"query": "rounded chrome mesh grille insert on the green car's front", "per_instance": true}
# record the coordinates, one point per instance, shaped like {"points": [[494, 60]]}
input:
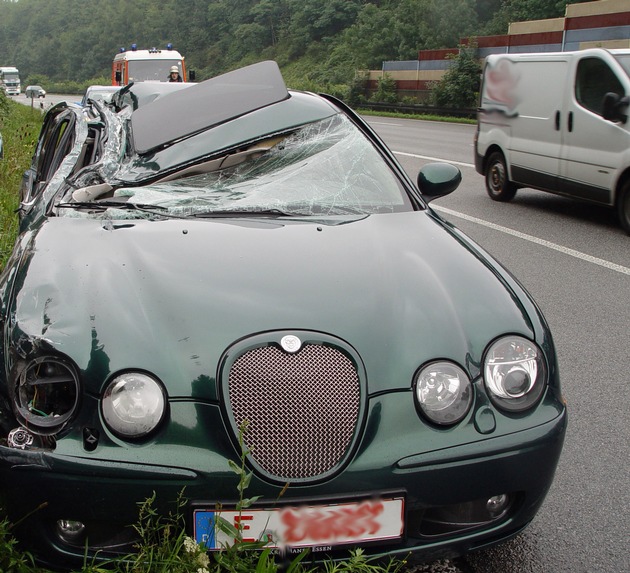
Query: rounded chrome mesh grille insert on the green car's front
{"points": [[301, 409]]}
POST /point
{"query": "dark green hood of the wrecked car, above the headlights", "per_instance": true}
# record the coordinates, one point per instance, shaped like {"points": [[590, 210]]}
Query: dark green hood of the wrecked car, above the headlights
{"points": [[169, 297]]}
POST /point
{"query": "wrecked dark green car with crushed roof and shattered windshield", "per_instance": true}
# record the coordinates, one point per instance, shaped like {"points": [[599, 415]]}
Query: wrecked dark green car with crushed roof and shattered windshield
{"points": [[198, 258]]}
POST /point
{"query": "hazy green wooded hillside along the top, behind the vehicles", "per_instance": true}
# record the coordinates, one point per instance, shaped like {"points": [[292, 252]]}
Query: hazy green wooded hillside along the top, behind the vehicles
{"points": [[319, 44]]}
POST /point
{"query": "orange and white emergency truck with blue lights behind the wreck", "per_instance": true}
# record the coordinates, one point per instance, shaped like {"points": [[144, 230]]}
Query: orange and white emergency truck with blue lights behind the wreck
{"points": [[152, 65]]}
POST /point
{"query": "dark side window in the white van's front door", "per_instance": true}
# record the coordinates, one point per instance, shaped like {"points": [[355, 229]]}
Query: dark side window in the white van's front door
{"points": [[593, 80]]}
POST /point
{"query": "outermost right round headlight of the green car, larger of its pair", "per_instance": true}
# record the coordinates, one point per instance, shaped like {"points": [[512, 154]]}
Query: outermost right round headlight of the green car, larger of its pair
{"points": [[514, 373]]}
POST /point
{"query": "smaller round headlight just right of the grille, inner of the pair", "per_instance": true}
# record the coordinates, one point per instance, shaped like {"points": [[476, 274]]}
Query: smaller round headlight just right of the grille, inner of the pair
{"points": [[443, 392]]}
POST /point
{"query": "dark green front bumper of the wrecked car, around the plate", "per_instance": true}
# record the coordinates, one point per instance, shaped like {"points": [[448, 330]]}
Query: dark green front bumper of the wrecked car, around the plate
{"points": [[445, 489]]}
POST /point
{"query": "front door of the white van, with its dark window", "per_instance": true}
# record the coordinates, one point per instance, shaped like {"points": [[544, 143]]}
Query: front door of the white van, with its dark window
{"points": [[592, 147]]}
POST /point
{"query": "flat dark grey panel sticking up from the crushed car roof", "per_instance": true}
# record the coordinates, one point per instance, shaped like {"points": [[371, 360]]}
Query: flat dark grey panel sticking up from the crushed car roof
{"points": [[210, 103]]}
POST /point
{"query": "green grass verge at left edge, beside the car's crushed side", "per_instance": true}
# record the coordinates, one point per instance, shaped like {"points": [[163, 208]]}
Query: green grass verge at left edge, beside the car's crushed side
{"points": [[19, 126]]}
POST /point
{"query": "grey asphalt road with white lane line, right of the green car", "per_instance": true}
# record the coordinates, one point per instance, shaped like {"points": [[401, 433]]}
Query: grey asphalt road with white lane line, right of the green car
{"points": [[575, 260]]}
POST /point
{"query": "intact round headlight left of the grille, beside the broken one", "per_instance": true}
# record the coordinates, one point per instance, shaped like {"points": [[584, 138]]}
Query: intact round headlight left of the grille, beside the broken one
{"points": [[133, 405]]}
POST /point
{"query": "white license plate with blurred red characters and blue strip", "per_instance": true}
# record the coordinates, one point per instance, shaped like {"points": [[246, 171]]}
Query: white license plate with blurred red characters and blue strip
{"points": [[306, 526]]}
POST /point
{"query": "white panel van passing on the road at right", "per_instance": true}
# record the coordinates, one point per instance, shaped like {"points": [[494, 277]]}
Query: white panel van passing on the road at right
{"points": [[557, 122]]}
